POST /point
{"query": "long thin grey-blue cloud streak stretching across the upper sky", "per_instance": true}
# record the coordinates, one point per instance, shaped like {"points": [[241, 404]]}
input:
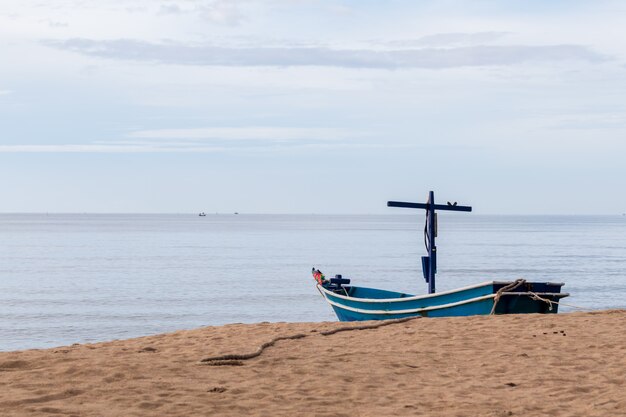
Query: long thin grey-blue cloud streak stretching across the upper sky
{"points": [[434, 58]]}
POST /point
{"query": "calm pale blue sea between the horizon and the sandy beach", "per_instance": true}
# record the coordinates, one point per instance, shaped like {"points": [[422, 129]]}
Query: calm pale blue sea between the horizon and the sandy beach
{"points": [[67, 278]]}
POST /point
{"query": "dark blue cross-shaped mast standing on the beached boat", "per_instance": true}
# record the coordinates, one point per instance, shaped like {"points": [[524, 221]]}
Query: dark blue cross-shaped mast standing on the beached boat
{"points": [[429, 263]]}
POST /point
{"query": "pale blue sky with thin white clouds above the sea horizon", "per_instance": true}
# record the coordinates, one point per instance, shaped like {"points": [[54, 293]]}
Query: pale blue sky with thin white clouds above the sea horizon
{"points": [[312, 106]]}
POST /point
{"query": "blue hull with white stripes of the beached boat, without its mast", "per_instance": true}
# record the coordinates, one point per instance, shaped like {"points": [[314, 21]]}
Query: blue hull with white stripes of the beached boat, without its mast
{"points": [[352, 303]]}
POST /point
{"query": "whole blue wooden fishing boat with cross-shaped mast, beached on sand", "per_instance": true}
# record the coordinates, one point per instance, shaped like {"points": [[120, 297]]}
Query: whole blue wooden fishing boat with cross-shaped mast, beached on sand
{"points": [[352, 303]]}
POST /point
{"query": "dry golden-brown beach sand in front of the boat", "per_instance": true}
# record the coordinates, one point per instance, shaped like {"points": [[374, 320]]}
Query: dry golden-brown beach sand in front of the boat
{"points": [[525, 365]]}
